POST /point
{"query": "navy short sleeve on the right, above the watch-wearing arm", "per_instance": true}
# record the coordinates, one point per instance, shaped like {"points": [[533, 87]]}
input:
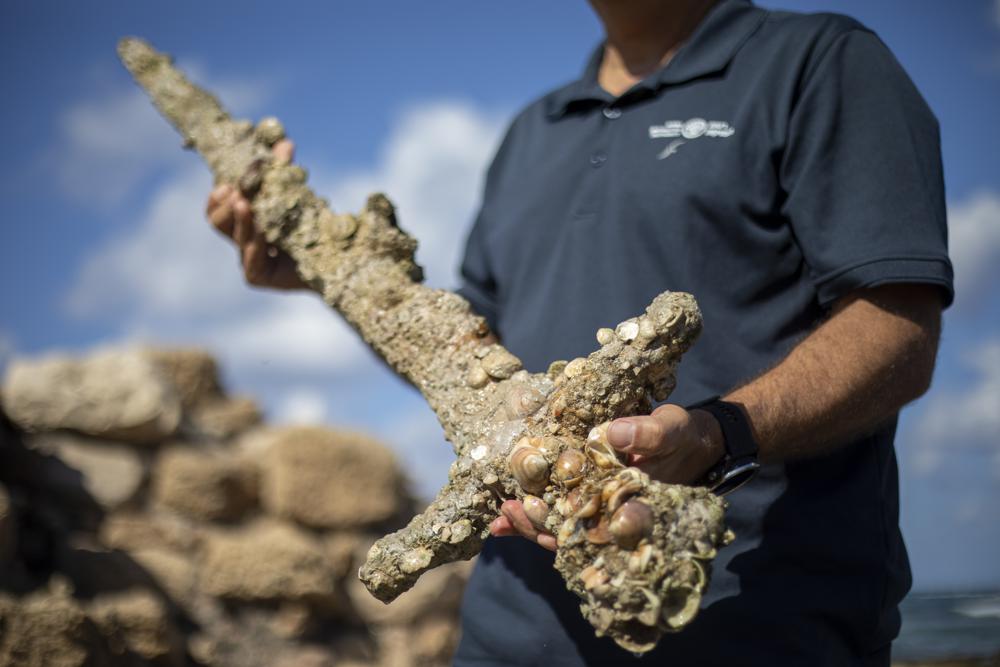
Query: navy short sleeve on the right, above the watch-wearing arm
{"points": [[862, 173]]}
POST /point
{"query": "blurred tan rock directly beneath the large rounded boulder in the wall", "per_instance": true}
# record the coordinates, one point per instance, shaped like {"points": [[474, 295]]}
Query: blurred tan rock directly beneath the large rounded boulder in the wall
{"points": [[266, 561]]}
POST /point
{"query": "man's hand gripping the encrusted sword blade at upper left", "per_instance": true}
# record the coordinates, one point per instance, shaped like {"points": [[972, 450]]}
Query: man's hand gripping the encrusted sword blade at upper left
{"points": [[264, 265]]}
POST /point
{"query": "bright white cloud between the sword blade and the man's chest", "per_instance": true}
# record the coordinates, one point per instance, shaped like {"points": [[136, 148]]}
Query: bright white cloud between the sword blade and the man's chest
{"points": [[431, 167]]}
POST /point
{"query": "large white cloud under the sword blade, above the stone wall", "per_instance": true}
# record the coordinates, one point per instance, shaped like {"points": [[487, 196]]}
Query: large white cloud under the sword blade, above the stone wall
{"points": [[171, 278]]}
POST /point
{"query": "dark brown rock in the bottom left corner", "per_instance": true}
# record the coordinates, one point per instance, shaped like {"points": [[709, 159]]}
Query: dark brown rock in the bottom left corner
{"points": [[49, 629]]}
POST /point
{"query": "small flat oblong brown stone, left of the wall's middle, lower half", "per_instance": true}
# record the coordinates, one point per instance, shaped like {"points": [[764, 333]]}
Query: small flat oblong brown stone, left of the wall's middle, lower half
{"points": [[134, 531]]}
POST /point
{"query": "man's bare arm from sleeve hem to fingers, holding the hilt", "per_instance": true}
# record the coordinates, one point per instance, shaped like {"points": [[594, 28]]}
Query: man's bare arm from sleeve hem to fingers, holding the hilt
{"points": [[872, 356]]}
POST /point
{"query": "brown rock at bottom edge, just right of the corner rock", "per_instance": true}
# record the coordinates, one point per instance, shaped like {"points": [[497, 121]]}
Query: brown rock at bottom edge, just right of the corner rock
{"points": [[137, 621]]}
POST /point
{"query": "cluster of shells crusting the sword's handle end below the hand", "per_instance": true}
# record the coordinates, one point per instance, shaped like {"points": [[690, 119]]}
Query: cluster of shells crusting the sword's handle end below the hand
{"points": [[635, 550]]}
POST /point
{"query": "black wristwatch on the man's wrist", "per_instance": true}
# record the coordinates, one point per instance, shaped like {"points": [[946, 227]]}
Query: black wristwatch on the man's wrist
{"points": [[739, 464]]}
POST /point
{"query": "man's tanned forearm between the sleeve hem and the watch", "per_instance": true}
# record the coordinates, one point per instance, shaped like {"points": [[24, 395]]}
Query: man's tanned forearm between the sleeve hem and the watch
{"points": [[855, 371]]}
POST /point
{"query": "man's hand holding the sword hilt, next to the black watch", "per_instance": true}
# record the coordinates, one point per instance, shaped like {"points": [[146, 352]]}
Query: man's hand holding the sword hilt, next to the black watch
{"points": [[671, 445]]}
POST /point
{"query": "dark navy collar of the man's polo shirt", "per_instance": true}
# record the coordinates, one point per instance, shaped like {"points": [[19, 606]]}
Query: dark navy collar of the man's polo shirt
{"points": [[711, 47]]}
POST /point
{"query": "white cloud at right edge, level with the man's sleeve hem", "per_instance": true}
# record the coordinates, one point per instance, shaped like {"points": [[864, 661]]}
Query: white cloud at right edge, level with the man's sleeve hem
{"points": [[974, 245]]}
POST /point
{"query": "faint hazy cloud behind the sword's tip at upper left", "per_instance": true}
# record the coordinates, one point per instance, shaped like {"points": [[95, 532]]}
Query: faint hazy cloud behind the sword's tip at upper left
{"points": [[109, 144]]}
